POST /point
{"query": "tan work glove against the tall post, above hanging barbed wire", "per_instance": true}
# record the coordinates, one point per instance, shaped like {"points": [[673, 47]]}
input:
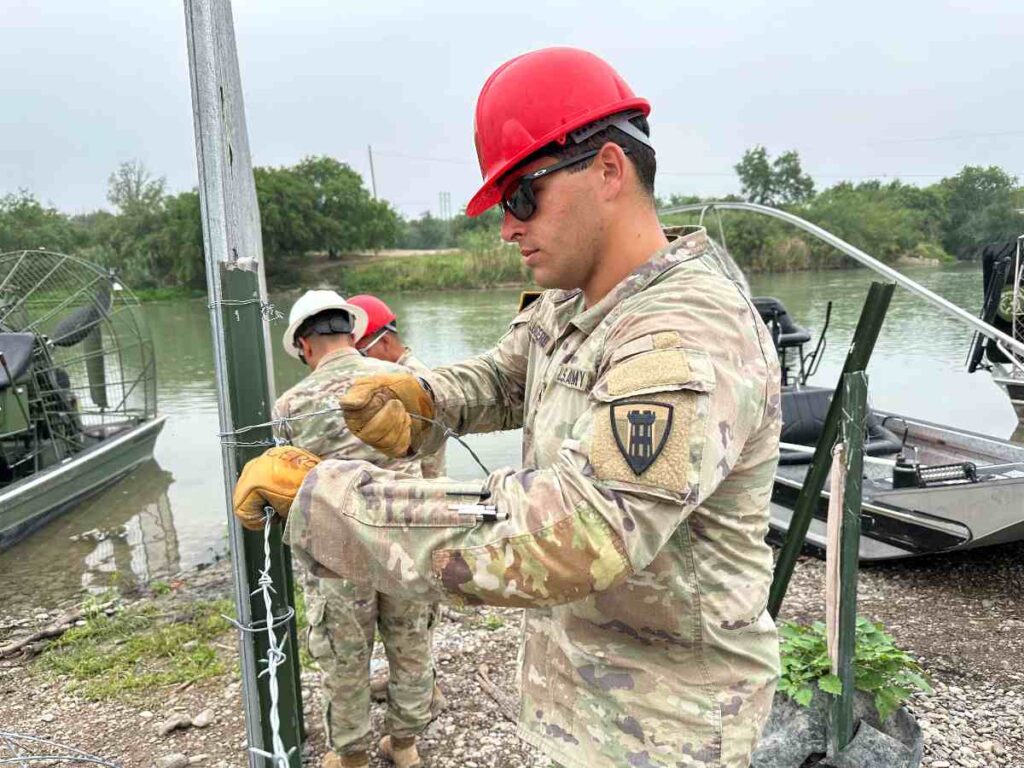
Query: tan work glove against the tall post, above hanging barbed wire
{"points": [[272, 479]]}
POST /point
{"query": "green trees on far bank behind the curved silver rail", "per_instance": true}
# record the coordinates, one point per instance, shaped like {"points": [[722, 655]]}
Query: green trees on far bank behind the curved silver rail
{"points": [[953, 219]]}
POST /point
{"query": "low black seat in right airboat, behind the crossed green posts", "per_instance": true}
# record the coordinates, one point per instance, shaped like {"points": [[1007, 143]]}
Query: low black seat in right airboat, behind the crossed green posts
{"points": [[804, 414]]}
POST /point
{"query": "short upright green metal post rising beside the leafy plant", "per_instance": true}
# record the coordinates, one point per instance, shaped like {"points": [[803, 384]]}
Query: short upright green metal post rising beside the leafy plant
{"points": [[855, 424]]}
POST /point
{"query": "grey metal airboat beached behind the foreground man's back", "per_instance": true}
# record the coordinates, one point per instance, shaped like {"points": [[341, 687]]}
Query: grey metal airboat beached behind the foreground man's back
{"points": [[927, 488]]}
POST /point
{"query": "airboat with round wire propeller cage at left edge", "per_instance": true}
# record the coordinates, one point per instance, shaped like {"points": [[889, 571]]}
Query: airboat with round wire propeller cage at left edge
{"points": [[78, 396]]}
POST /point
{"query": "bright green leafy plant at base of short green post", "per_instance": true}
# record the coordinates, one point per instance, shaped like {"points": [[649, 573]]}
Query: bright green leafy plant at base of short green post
{"points": [[881, 670]]}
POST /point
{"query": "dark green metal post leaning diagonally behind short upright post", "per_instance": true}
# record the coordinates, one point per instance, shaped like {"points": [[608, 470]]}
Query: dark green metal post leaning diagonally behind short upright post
{"points": [[865, 336]]}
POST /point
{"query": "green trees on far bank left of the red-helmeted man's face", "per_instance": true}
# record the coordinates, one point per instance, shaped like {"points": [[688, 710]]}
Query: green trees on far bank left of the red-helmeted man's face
{"points": [[154, 238]]}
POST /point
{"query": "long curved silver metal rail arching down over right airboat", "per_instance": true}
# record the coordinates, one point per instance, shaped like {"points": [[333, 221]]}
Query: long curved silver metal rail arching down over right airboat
{"points": [[856, 253]]}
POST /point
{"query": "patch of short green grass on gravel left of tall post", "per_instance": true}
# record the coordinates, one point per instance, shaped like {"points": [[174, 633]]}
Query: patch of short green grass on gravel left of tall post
{"points": [[140, 649]]}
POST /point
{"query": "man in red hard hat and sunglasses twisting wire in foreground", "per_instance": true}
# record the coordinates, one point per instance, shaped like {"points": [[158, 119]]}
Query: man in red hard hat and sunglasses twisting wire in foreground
{"points": [[649, 394]]}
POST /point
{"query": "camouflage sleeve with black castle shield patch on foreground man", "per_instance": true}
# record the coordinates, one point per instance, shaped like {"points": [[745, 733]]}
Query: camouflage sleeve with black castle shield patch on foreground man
{"points": [[602, 510]]}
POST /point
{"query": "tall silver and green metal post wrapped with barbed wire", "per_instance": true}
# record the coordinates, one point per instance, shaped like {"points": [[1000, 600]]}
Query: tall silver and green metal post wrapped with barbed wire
{"points": [[241, 338]]}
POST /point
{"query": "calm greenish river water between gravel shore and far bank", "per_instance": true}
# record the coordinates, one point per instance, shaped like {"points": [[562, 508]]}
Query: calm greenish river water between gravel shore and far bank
{"points": [[170, 515]]}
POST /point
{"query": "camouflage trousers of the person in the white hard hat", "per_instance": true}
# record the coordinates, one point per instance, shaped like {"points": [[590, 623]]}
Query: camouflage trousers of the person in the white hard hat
{"points": [[344, 618]]}
